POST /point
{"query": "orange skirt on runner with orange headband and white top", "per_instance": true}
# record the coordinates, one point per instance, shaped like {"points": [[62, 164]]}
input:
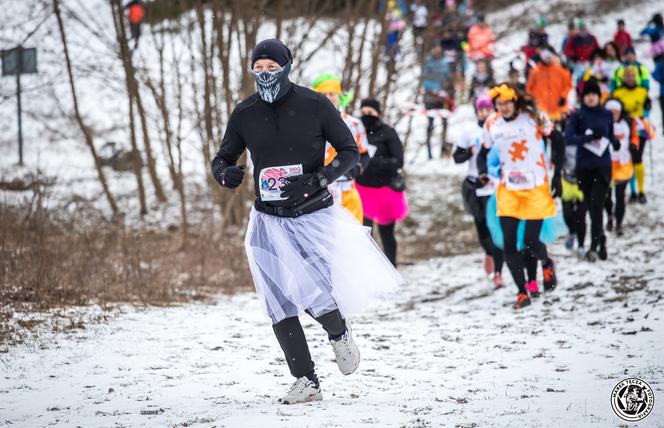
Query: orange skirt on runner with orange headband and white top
{"points": [[533, 204]]}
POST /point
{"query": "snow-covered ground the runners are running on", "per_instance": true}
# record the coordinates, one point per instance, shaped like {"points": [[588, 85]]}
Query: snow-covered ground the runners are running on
{"points": [[442, 351]]}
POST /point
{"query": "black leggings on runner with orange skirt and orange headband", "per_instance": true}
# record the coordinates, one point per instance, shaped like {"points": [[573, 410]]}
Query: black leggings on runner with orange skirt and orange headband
{"points": [[514, 259]]}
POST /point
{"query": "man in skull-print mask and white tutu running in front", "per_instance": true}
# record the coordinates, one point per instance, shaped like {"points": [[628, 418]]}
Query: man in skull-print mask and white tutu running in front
{"points": [[303, 250]]}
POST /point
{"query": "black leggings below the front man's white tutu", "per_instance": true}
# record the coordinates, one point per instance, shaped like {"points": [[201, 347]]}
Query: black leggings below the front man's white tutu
{"points": [[294, 344]]}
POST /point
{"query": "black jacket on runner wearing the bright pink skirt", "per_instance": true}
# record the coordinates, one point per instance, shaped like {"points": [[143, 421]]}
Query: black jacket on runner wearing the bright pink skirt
{"points": [[388, 158]]}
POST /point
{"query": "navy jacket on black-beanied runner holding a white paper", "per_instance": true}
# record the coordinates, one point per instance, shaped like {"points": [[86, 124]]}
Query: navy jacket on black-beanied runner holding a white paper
{"points": [[585, 118]]}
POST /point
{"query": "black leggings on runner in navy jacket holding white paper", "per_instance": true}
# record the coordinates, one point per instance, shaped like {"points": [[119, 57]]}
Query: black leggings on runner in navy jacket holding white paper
{"points": [[594, 183]]}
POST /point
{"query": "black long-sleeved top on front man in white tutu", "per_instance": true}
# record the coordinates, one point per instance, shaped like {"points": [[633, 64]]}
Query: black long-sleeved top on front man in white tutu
{"points": [[292, 130]]}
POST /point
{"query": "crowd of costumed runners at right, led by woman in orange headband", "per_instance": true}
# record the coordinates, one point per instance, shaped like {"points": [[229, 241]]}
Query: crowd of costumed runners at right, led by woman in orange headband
{"points": [[576, 130]]}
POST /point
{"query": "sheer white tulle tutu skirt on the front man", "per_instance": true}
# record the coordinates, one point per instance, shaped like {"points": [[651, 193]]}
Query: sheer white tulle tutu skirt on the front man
{"points": [[318, 262]]}
